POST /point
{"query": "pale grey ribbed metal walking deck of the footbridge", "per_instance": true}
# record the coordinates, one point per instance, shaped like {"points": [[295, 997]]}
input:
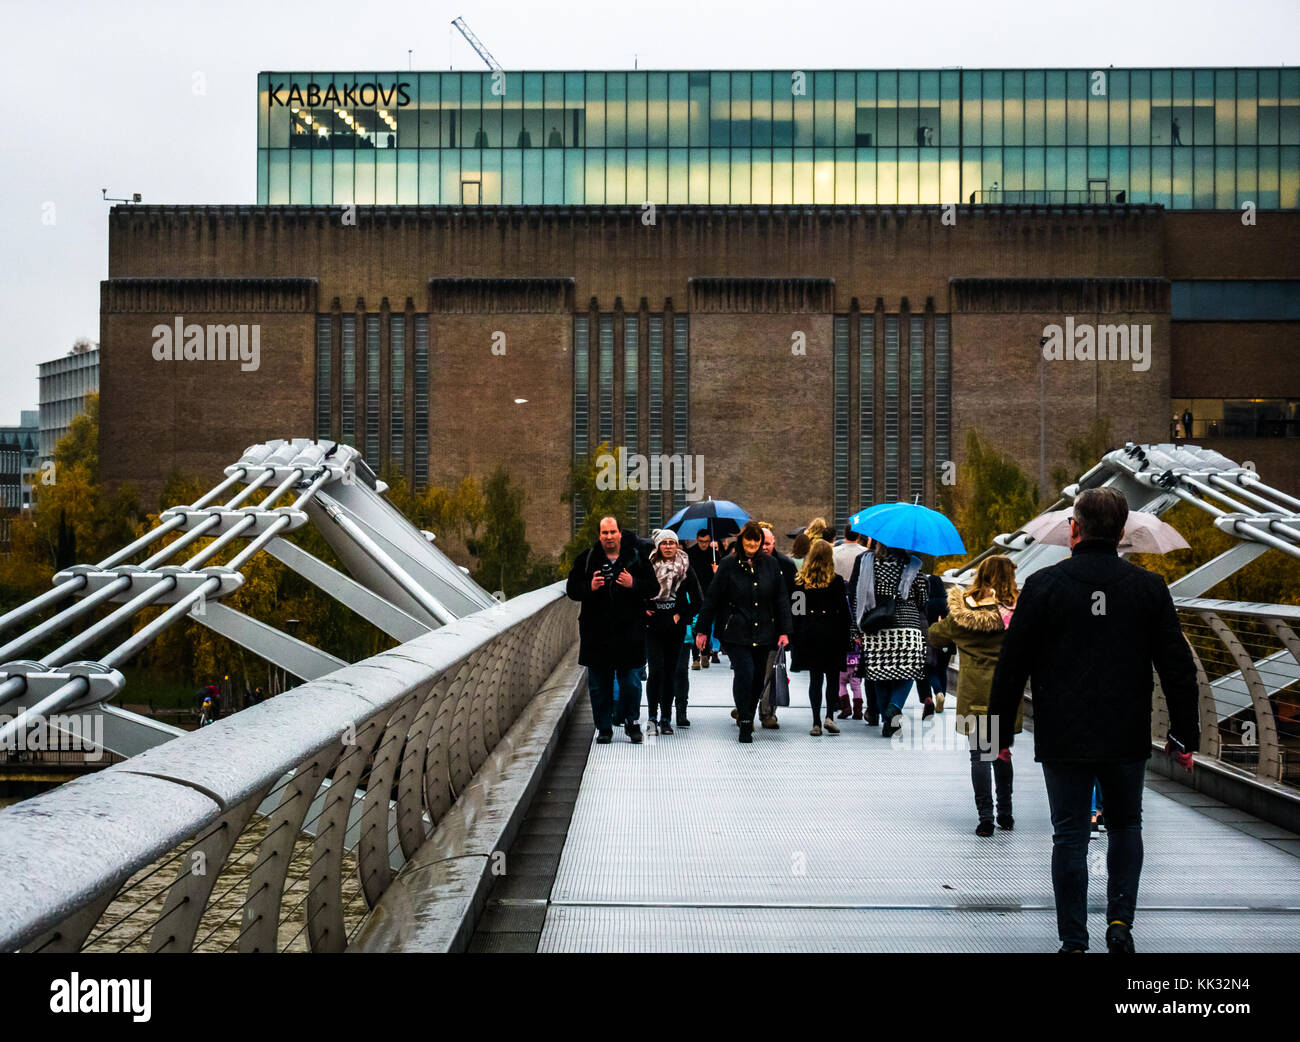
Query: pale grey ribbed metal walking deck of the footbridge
{"points": [[695, 843]]}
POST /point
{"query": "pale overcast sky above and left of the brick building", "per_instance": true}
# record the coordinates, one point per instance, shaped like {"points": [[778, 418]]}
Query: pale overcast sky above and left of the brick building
{"points": [[102, 94]]}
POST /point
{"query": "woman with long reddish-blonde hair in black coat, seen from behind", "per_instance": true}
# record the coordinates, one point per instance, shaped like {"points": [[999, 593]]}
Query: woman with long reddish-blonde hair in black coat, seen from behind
{"points": [[821, 640]]}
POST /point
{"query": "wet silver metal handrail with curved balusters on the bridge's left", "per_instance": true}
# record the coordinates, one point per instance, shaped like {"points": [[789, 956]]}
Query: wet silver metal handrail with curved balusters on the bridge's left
{"points": [[421, 718]]}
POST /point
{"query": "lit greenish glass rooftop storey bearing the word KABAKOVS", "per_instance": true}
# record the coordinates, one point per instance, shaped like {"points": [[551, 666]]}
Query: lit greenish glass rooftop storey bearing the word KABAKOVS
{"points": [[1181, 138]]}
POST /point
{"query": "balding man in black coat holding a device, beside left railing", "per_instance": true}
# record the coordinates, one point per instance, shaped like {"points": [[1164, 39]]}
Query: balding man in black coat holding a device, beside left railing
{"points": [[613, 581]]}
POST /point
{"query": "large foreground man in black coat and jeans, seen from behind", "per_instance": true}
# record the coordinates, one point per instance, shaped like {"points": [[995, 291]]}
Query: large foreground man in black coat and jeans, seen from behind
{"points": [[1086, 635]]}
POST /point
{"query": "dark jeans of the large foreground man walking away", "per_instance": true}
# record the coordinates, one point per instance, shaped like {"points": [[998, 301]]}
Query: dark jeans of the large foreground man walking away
{"points": [[1071, 798]]}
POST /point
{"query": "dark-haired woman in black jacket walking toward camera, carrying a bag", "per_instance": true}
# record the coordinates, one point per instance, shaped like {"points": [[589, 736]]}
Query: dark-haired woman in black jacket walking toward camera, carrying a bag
{"points": [[751, 606]]}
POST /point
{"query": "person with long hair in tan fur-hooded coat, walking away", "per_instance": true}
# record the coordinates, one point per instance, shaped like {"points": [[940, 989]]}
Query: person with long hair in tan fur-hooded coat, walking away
{"points": [[977, 623]]}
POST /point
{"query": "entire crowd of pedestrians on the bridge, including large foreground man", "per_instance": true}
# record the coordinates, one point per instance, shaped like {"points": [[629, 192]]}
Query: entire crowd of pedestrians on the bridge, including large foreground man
{"points": [[868, 624]]}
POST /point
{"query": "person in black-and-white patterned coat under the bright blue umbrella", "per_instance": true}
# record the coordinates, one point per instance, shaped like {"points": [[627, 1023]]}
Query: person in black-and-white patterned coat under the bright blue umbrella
{"points": [[887, 597]]}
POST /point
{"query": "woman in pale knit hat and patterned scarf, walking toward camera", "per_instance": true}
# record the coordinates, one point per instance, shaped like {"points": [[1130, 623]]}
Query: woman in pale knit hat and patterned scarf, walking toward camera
{"points": [[674, 605]]}
